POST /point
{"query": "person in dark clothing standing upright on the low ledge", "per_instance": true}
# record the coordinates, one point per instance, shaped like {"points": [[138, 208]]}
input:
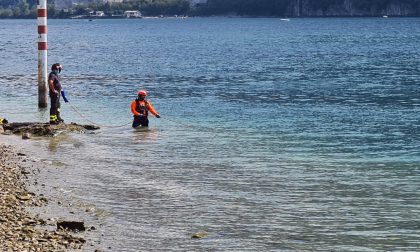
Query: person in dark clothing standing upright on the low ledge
{"points": [[54, 84]]}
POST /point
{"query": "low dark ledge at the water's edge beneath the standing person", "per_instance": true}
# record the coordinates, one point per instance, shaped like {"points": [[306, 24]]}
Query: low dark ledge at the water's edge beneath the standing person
{"points": [[45, 129]]}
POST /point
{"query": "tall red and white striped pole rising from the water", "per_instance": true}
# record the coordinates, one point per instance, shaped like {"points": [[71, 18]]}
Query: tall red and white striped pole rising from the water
{"points": [[42, 53]]}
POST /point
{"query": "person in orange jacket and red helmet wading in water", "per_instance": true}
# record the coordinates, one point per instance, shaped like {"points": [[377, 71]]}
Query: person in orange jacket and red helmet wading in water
{"points": [[140, 108]]}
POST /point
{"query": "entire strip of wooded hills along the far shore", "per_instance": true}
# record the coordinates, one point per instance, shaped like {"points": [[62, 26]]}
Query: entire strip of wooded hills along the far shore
{"points": [[290, 8]]}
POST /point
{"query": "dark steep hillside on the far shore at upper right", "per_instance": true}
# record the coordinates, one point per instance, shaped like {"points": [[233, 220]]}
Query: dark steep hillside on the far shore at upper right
{"points": [[311, 8]]}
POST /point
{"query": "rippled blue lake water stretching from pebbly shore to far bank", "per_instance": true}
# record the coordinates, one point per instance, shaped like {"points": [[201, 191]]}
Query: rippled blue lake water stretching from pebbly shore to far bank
{"points": [[274, 136]]}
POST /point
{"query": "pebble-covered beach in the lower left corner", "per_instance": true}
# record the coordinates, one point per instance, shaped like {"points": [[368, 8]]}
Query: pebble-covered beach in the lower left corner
{"points": [[20, 229]]}
